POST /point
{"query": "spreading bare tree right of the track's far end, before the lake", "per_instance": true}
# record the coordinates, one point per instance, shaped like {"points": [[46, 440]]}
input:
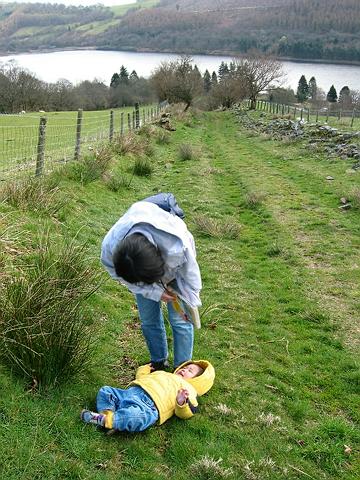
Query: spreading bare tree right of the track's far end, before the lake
{"points": [[257, 72]]}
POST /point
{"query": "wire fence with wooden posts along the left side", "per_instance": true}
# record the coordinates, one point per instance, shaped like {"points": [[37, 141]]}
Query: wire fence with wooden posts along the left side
{"points": [[33, 144]]}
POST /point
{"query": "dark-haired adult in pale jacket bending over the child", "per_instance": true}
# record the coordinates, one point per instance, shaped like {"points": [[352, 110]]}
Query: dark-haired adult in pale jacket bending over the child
{"points": [[148, 247]]}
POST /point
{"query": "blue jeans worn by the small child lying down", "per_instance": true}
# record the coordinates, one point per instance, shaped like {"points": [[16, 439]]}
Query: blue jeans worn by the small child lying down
{"points": [[133, 409]]}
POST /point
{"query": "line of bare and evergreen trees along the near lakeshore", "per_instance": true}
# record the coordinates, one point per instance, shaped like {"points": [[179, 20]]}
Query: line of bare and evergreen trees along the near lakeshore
{"points": [[178, 81]]}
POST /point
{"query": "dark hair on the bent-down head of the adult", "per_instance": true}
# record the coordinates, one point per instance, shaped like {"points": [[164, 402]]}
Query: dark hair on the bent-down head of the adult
{"points": [[136, 259]]}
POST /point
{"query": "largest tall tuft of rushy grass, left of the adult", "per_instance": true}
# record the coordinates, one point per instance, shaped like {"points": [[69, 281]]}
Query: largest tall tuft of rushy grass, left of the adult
{"points": [[46, 335]]}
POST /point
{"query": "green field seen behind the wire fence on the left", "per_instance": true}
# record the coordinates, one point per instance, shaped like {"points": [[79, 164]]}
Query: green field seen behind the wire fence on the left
{"points": [[19, 135]]}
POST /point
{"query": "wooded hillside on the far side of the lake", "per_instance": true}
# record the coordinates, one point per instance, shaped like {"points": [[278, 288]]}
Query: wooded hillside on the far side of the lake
{"points": [[307, 29]]}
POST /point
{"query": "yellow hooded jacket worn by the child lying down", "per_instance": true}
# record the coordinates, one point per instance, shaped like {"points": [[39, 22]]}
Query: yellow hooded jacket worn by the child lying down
{"points": [[163, 388]]}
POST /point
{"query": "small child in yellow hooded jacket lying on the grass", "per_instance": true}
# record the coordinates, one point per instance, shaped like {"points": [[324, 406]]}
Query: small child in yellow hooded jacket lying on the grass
{"points": [[153, 396]]}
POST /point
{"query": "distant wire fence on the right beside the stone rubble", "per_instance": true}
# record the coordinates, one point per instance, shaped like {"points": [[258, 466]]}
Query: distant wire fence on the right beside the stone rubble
{"points": [[350, 118]]}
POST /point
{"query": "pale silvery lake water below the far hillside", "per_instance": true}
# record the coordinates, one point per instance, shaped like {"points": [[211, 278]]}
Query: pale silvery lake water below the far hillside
{"points": [[80, 65]]}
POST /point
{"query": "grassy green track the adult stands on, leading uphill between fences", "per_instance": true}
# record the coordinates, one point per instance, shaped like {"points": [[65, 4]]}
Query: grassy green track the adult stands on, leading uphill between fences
{"points": [[280, 320]]}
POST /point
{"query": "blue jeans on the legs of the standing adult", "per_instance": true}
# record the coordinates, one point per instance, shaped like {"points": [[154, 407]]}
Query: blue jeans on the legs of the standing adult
{"points": [[153, 328]]}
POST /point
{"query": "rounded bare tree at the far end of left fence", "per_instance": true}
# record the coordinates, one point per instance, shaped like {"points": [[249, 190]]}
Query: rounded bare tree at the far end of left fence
{"points": [[177, 81]]}
